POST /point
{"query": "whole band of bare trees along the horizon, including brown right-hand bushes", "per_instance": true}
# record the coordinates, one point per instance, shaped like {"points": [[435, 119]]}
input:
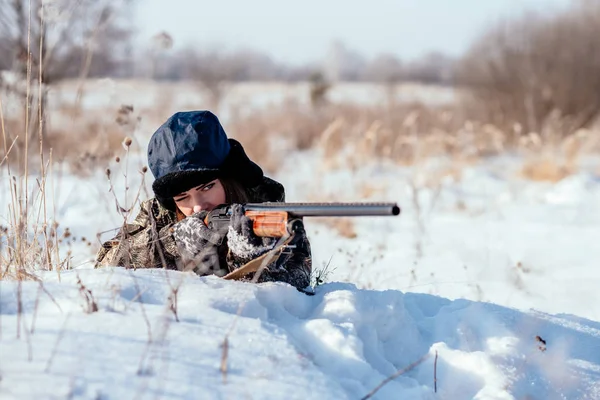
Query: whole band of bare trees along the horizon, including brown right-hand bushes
{"points": [[521, 72]]}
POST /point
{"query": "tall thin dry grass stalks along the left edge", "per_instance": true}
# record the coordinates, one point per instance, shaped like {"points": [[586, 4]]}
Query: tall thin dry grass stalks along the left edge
{"points": [[30, 242]]}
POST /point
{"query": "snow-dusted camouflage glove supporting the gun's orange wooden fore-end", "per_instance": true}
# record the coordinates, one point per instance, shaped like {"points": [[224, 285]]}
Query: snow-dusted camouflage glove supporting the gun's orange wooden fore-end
{"points": [[243, 244]]}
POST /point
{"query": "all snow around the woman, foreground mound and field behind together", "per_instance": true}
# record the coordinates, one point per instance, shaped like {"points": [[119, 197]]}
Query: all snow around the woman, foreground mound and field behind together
{"points": [[493, 274]]}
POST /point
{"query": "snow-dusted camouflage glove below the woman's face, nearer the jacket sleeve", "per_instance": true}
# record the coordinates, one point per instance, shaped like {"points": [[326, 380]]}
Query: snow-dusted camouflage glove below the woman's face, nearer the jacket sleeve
{"points": [[197, 244]]}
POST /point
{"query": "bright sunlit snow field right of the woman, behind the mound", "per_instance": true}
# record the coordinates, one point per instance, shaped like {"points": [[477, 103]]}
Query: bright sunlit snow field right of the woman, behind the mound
{"points": [[487, 236]]}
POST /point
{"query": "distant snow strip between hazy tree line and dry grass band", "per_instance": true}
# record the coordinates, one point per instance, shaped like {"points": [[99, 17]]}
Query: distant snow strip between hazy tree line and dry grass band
{"points": [[238, 97]]}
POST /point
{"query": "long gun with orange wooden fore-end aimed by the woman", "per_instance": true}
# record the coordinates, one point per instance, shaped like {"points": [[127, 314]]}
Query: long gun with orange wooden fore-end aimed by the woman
{"points": [[280, 219]]}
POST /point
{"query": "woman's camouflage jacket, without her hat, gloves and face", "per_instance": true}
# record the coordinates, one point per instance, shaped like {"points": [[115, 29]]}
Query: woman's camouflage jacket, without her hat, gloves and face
{"points": [[147, 242]]}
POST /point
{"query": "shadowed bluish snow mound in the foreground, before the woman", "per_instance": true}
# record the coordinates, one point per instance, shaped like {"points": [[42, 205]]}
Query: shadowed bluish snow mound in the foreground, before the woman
{"points": [[340, 343]]}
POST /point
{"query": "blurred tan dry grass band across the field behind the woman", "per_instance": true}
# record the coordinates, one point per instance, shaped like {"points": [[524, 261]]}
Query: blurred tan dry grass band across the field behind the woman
{"points": [[347, 135]]}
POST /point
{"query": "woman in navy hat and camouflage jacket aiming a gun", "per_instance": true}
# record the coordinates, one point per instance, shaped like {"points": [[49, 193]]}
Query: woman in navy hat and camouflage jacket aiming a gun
{"points": [[197, 168]]}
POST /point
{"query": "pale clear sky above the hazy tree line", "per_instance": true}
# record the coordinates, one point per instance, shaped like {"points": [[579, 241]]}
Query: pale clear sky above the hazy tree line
{"points": [[299, 32]]}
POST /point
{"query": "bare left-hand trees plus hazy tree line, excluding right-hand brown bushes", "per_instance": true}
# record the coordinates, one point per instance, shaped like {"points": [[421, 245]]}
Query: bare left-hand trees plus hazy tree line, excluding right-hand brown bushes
{"points": [[94, 38]]}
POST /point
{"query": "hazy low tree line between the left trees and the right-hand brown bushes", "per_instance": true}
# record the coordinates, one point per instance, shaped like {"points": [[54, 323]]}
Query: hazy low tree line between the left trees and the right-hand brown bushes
{"points": [[252, 65]]}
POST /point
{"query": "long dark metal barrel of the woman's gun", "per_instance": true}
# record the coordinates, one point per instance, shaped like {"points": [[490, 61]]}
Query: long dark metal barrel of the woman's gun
{"points": [[328, 209]]}
